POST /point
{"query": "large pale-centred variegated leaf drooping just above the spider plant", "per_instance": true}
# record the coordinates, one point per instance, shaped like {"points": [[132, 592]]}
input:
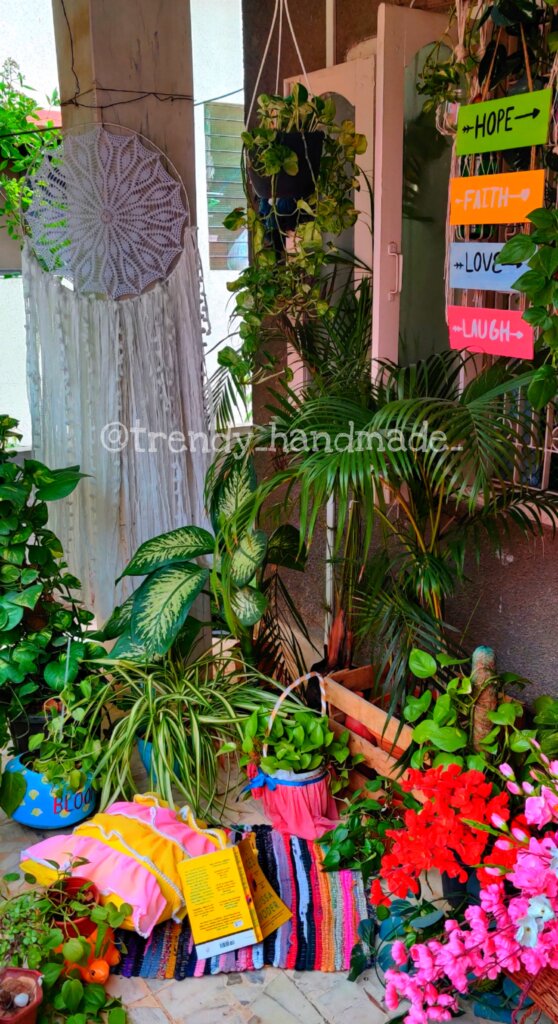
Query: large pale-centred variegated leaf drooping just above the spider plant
{"points": [[162, 604]]}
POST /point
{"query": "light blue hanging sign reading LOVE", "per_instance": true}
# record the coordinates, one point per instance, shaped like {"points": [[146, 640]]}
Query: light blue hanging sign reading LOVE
{"points": [[473, 266]]}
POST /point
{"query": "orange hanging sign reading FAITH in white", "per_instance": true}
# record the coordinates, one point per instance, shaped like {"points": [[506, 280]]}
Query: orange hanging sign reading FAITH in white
{"points": [[496, 199]]}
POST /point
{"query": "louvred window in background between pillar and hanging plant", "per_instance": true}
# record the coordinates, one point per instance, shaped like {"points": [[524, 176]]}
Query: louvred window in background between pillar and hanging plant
{"points": [[224, 124]]}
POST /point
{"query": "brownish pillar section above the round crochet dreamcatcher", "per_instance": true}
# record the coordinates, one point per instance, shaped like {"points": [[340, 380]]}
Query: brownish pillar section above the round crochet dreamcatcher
{"points": [[113, 52]]}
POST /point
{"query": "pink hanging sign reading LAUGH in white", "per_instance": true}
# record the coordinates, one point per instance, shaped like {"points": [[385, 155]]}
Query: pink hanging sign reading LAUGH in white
{"points": [[496, 332]]}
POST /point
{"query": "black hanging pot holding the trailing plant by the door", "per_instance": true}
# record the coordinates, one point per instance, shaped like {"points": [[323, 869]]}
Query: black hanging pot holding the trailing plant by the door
{"points": [[308, 147]]}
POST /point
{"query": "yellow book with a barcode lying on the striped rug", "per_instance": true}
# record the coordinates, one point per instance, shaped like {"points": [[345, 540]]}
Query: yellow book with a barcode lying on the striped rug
{"points": [[230, 902]]}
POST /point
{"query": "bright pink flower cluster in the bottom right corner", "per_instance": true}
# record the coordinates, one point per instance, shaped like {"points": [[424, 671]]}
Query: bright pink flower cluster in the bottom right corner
{"points": [[512, 927]]}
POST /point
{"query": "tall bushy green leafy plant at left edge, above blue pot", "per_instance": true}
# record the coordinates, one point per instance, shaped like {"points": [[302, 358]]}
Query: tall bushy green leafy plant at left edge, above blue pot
{"points": [[42, 623]]}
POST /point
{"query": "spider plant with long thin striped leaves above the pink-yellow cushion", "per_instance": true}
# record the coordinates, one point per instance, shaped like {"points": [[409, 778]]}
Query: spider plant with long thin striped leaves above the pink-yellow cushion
{"points": [[188, 712]]}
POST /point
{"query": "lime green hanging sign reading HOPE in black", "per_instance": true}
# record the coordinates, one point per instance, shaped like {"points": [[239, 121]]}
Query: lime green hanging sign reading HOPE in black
{"points": [[504, 124]]}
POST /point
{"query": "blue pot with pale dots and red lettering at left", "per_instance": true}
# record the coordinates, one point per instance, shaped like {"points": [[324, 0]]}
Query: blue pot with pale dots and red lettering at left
{"points": [[44, 807]]}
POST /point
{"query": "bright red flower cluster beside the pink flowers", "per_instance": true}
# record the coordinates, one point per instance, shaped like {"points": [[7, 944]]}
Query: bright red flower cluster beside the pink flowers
{"points": [[437, 836]]}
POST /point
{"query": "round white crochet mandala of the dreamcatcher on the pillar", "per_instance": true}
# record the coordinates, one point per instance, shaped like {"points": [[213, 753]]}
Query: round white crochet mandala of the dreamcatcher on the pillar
{"points": [[106, 214]]}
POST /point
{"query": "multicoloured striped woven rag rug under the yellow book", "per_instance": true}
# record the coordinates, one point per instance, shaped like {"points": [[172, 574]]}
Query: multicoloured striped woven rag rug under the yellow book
{"points": [[327, 909]]}
